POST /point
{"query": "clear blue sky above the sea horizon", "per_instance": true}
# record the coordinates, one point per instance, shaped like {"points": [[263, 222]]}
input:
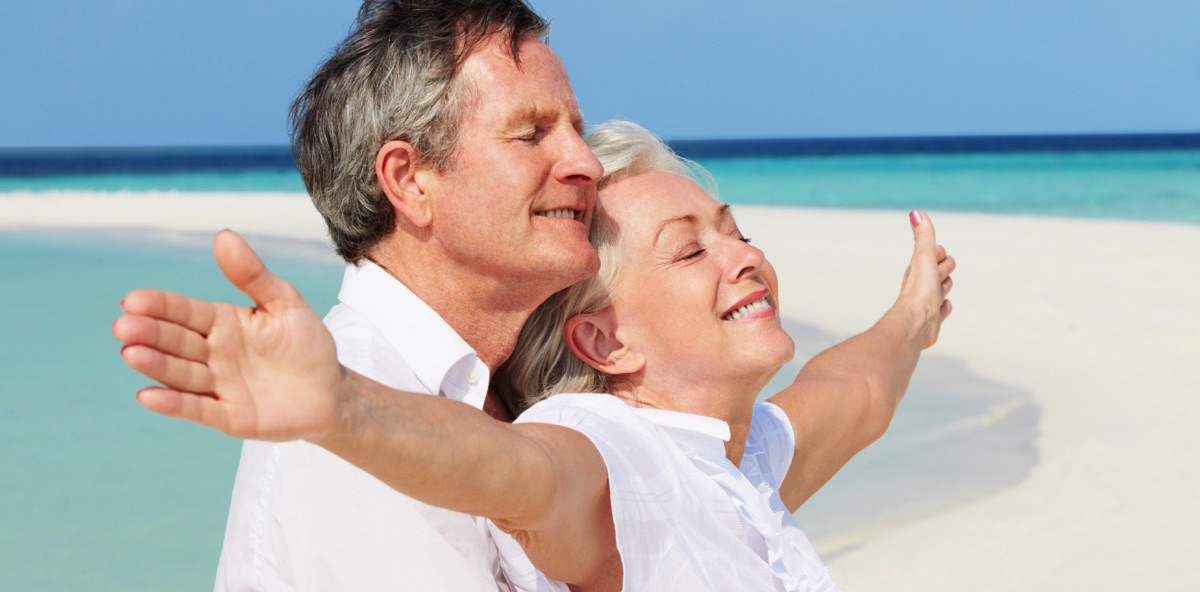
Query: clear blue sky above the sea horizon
{"points": [[223, 73]]}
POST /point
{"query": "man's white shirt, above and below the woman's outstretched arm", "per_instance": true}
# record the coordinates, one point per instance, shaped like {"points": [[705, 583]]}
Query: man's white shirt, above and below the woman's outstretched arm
{"points": [[304, 519]]}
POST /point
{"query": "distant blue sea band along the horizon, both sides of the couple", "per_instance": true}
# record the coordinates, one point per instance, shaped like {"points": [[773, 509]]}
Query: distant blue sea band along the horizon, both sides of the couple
{"points": [[1108, 177]]}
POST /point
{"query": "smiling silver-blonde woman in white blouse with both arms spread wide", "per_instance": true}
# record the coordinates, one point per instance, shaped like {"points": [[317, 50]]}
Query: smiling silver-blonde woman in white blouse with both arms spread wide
{"points": [[640, 459]]}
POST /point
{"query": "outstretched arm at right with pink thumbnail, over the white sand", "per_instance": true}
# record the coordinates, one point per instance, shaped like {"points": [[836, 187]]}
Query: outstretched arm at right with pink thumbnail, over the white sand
{"points": [[845, 397]]}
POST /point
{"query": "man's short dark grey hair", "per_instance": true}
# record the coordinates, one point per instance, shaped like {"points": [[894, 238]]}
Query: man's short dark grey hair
{"points": [[393, 77]]}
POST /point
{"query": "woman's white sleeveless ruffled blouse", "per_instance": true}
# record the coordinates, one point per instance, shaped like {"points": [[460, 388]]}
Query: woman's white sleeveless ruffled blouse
{"points": [[686, 518]]}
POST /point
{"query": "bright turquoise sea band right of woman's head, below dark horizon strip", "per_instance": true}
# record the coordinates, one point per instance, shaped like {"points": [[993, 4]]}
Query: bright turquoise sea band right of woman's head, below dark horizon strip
{"points": [[1143, 186]]}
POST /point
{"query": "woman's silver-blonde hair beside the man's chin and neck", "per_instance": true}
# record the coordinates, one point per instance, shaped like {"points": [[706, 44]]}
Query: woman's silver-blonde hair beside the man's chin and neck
{"points": [[542, 366]]}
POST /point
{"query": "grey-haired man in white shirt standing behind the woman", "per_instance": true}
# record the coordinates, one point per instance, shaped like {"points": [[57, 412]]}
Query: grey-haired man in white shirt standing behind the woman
{"points": [[441, 143]]}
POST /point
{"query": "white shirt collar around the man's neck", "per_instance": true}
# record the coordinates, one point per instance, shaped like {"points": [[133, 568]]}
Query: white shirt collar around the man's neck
{"points": [[440, 358]]}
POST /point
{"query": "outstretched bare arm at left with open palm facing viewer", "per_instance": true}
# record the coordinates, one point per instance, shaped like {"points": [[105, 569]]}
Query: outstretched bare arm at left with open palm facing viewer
{"points": [[272, 373]]}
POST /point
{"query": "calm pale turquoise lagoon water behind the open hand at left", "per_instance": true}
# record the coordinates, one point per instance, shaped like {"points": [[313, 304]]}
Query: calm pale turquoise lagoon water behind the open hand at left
{"points": [[95, 493]]}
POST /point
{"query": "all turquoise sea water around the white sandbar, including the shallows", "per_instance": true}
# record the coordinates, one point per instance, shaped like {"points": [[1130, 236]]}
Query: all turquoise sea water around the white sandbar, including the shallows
{"points": [[97, 494]]}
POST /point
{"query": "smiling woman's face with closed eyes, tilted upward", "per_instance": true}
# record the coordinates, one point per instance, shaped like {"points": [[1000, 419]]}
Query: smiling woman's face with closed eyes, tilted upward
{"points": [[694, 297]]}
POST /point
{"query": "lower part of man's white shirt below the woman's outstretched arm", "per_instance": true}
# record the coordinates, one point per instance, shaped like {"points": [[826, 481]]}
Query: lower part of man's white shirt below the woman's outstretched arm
{"points": [[295, 506]]}
